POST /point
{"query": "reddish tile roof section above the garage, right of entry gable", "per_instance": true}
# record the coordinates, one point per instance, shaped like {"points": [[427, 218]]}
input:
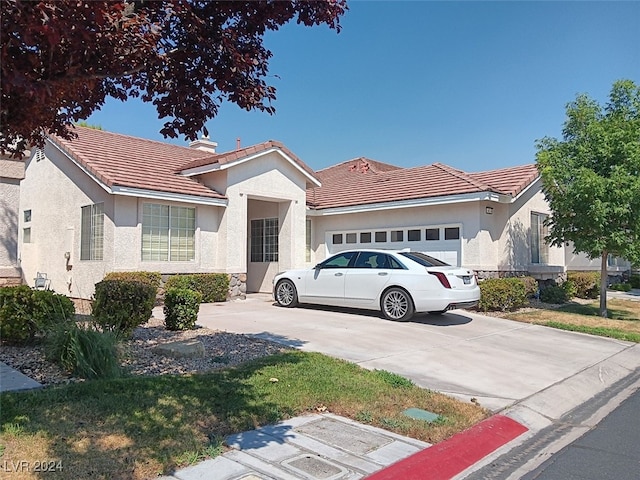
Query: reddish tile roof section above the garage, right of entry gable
{"points": [[351, 187]]}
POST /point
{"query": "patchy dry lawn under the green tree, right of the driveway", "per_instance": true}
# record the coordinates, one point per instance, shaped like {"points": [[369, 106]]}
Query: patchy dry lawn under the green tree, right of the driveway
{"points": [[623, 322]]}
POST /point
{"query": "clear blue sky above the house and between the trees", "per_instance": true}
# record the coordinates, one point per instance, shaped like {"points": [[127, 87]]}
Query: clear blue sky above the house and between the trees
{"points": [[470, 84]]}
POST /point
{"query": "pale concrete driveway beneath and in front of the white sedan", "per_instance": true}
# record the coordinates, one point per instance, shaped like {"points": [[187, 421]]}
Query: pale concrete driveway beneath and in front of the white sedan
{"points": [[496, 361]]}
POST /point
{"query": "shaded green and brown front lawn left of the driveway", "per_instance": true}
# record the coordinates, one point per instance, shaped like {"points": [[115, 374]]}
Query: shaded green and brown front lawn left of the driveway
{"points": [[140, 427]]}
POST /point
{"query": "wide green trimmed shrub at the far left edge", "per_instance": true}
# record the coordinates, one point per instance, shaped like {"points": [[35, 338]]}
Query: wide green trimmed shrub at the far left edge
{"points": [[24, 312]]}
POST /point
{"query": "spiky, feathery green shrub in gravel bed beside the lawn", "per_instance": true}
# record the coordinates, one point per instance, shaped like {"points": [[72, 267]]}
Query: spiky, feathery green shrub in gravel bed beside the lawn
{"points": [[84, 351]]}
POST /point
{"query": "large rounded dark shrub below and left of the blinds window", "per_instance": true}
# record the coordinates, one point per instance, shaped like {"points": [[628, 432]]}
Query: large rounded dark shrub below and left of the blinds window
{"points": [[120, 306]]}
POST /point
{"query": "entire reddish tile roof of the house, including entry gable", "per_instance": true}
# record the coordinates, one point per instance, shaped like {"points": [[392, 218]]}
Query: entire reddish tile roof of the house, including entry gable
{"points": [[124, 161]]}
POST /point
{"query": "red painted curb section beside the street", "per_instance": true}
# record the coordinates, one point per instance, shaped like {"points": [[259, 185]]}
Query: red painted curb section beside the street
{"points": [[445, 460]]}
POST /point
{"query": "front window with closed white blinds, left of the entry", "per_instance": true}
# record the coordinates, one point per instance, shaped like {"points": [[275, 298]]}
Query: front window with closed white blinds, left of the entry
{"points": [[168, 233]]}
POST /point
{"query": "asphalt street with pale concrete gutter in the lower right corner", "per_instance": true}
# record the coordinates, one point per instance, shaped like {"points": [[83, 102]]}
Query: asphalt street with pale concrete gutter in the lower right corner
{"points": [[598, 439]]}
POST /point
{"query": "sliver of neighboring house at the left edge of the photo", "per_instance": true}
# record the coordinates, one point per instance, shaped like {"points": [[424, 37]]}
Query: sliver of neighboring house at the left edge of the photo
{"points": [[11, 172]]}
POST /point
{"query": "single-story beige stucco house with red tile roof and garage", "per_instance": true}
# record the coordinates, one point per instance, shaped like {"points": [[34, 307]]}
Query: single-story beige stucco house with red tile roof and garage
{"points": [[106, 202]]}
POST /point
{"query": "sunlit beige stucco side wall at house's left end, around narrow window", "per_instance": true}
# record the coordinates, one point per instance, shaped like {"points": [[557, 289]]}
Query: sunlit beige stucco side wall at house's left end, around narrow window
{"points": [[54, 189]]}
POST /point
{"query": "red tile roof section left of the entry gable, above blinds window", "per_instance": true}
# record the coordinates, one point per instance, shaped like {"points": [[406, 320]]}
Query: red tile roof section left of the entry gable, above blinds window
{"points": [[124, 161]]}
